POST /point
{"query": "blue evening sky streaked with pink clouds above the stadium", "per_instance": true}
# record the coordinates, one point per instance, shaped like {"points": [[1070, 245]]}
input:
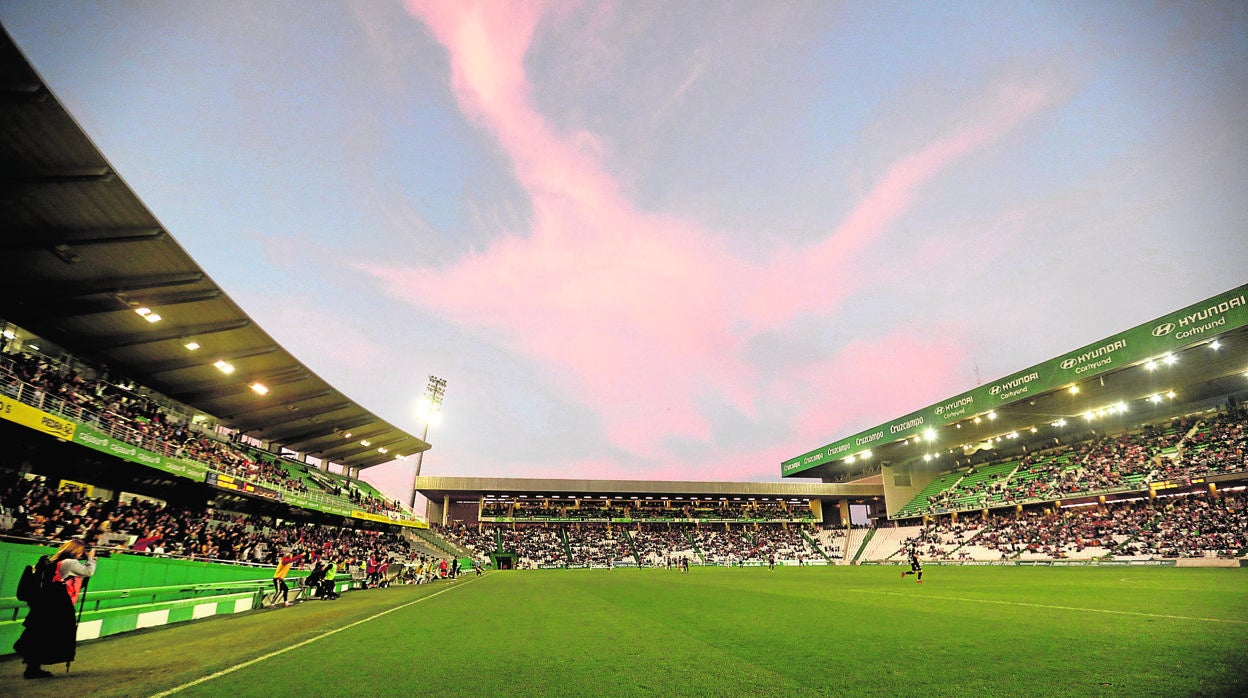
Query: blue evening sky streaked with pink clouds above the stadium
{"points": [[681, 240]]}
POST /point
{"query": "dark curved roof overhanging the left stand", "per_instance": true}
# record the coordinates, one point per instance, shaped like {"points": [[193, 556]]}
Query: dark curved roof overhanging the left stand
{"points": [[88, 267]]}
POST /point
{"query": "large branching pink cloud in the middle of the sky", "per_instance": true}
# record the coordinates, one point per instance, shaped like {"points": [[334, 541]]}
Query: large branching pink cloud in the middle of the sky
{"points": [[646, 319]]}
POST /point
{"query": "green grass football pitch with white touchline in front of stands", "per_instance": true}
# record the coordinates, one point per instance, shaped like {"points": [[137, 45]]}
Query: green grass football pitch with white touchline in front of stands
{"points": [[848, 631]]}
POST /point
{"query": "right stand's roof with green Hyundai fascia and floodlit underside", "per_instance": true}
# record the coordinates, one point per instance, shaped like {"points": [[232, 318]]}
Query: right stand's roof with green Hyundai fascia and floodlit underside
{"points": [[1182, 363]]}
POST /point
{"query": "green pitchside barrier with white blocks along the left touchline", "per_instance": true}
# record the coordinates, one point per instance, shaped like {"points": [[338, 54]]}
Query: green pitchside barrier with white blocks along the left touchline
{"points": [[132, 592]]}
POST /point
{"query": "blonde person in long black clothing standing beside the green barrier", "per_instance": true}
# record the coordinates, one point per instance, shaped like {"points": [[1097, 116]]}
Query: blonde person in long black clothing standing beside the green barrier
{"points": [[52, 629]]}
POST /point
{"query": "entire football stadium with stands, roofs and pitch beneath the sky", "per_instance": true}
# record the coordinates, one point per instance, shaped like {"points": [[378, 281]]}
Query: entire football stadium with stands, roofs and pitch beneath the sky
{"points": [[1083, 523]]}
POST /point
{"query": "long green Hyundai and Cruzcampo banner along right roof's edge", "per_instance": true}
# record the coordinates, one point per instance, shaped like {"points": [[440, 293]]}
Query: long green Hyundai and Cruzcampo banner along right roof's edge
{"points": [[1169, 334]]}
